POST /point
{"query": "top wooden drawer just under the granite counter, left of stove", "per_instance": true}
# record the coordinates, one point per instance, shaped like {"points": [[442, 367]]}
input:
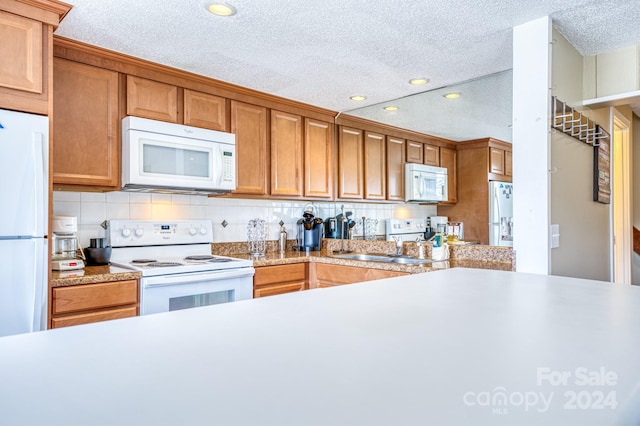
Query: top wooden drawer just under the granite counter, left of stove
{"points": [[94, 296]]}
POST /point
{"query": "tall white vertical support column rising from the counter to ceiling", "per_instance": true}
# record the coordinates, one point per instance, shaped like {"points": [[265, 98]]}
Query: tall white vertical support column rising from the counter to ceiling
{"points": [[531, 145]]}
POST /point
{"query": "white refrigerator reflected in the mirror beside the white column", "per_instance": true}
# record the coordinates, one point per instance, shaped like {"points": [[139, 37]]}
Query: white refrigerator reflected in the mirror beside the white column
{"points": [[500, 214]]}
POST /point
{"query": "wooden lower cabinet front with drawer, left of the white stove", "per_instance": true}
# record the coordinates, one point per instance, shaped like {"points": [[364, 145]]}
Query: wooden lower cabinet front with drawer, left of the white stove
{"points": [[83, 304]]}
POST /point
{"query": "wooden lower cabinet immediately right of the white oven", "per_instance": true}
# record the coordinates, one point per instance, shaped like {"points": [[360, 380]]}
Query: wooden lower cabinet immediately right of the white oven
{"points": [[279, 279]]}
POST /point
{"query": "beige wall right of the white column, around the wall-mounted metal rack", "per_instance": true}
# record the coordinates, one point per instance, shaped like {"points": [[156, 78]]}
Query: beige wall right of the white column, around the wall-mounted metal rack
{"points": [[584, 224]]}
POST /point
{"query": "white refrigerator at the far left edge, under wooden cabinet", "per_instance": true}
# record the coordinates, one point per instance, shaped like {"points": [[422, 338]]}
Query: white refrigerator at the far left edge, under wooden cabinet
{"points": [[24, 165]]}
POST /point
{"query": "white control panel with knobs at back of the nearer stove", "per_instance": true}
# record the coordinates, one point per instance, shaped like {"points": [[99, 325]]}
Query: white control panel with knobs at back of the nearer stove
{"points": [[133, 233]]}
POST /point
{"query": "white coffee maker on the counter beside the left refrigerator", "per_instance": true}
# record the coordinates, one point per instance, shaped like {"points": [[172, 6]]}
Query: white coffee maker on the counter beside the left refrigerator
{"points": [[64, 244]]}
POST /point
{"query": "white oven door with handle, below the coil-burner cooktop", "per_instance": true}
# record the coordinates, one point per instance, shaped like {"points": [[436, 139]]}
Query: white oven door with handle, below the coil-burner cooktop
{"points": [[182, 291]]}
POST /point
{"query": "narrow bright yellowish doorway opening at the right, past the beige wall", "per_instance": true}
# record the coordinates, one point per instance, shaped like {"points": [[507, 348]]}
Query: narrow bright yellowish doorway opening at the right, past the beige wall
{"points": [[622, 241]]}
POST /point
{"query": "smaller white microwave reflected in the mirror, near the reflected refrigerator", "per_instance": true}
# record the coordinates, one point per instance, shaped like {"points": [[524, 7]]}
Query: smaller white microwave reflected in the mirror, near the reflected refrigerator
{"points": [[425, 184]]}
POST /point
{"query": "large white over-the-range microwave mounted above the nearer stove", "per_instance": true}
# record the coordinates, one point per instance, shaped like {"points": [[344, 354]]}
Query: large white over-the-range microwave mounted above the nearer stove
{"points": [[167, 157]]}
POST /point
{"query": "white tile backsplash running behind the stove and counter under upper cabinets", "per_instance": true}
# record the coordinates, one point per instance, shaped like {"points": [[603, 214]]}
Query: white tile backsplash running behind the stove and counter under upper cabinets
{"points": [[92, 208]]}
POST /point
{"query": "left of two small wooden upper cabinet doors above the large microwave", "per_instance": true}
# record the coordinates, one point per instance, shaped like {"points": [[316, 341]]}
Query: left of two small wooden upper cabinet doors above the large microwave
{"points": [[152, 99]]}
